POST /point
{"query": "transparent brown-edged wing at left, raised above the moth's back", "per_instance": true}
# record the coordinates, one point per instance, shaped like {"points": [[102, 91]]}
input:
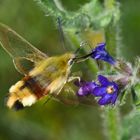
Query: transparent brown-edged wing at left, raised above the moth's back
{"points": [[18, 48]]}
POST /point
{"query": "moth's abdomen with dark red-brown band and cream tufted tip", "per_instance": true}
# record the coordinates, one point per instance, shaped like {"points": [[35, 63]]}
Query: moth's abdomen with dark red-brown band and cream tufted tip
{"points": [[24, 93]]}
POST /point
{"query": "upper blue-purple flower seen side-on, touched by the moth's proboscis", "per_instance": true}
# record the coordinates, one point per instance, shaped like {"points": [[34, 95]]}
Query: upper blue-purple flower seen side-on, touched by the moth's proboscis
{"points": [[100, 53]]}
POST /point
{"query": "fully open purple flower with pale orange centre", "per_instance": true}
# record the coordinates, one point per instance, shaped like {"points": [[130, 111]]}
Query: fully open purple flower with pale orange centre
{"points": [[107, 90]]}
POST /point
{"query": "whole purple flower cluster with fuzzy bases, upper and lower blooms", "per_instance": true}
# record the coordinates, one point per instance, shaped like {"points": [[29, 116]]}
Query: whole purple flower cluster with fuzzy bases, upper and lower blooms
{"points": [[106, 89]]}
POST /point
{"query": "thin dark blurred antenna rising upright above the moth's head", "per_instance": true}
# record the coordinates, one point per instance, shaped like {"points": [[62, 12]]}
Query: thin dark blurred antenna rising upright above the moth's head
{"points": [[61, 33]]}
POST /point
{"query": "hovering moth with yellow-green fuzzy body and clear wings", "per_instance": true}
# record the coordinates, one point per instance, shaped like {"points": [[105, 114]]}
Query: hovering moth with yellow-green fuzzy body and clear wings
{"points": [[50, 76]]}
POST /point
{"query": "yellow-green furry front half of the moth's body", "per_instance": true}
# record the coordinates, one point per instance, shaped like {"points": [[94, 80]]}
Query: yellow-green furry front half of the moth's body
{"points": [[55, 70]]}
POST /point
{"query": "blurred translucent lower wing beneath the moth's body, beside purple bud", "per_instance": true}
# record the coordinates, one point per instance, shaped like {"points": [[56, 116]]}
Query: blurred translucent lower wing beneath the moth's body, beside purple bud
{"points": [[69, 96]]}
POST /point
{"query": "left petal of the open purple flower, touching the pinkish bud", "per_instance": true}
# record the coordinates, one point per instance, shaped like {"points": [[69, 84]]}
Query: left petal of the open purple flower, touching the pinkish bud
{"points": [[99, 91]]}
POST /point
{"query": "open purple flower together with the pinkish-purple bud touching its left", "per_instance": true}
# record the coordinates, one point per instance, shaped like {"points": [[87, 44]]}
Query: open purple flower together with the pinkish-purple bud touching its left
{"points": [[107, 90]]}
